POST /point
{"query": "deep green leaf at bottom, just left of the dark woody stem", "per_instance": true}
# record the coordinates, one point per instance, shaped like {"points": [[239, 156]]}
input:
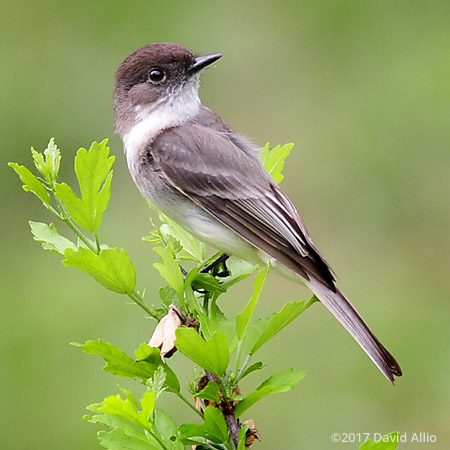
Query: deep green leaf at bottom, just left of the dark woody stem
{"points": [[214, 428]]}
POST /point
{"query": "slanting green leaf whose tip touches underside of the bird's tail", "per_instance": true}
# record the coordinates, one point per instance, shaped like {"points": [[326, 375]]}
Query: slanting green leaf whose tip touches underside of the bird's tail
{"points": [[265, 329]]}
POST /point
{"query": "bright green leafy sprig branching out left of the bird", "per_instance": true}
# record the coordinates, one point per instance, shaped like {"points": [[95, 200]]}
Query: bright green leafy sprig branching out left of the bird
{"points": [[83, 213]]}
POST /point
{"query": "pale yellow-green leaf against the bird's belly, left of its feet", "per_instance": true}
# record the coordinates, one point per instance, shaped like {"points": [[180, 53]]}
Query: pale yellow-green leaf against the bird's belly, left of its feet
{"points": [[191, 248]]}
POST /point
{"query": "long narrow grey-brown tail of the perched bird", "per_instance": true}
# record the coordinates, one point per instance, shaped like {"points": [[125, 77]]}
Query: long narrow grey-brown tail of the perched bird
{"points": [[347, 315]]}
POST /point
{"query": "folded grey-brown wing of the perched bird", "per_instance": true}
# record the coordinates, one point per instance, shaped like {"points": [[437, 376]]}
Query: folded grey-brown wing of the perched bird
{"points": [[232, 185]]}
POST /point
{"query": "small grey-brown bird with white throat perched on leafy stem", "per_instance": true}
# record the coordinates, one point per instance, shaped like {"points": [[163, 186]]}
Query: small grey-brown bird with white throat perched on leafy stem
{"points": [[195, 169]]}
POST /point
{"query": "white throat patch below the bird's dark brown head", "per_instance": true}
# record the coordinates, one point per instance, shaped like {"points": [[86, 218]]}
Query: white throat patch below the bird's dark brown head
{"points": [[174, 110]]}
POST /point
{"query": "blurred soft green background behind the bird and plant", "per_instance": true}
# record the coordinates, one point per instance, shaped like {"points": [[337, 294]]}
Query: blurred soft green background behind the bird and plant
{"points": [[361, 88]]}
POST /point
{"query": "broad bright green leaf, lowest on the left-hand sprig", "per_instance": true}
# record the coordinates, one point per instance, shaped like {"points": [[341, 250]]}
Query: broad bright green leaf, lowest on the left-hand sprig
{"points": [[112, 267]]}
